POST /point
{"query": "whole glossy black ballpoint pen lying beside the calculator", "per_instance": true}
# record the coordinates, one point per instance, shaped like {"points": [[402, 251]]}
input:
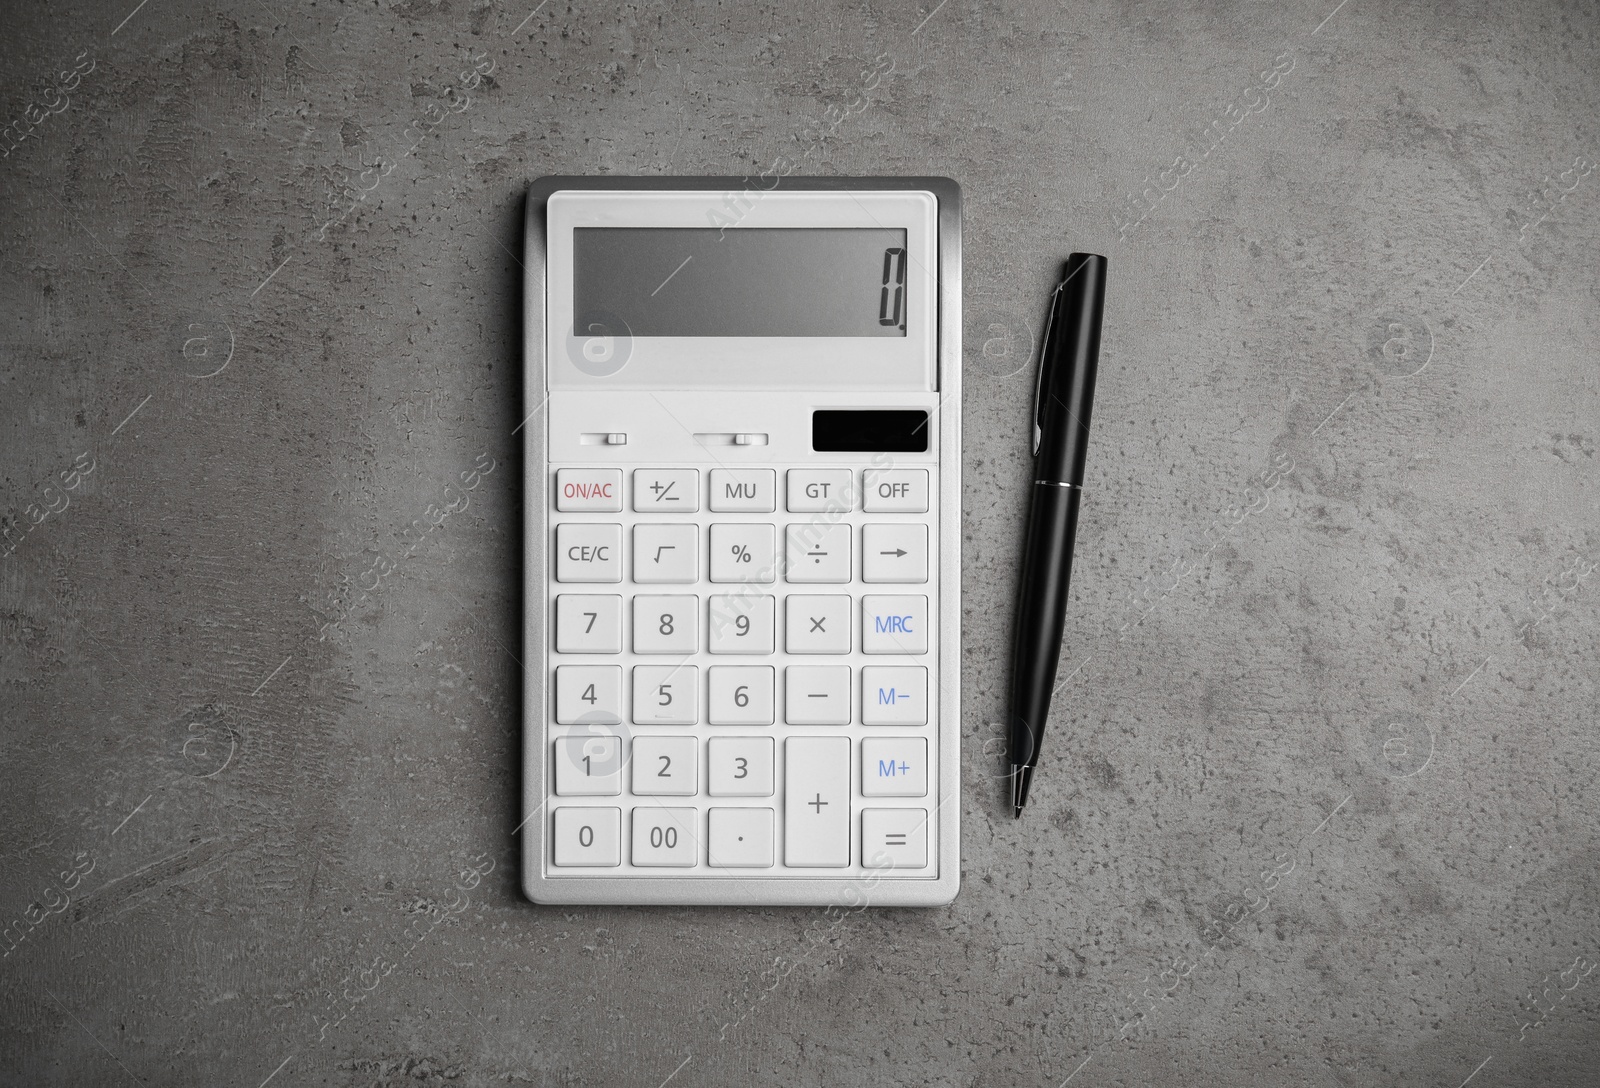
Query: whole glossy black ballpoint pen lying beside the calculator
{"points": [[1062, 441]]}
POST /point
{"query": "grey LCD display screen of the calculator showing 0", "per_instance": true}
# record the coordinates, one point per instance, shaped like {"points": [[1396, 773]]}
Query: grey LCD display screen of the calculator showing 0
{"points": [[742, 282]]}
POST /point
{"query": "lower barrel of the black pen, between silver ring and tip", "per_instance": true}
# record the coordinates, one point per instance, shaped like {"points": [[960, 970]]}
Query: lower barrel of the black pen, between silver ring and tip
{"points": [[1042, 614]]}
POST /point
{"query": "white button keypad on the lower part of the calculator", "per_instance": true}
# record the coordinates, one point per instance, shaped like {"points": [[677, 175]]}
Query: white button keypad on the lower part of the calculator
{"points": [[745, 689]]}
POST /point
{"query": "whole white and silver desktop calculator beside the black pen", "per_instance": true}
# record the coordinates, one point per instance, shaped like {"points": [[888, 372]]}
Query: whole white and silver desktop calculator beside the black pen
{"points": [[742, 604]]}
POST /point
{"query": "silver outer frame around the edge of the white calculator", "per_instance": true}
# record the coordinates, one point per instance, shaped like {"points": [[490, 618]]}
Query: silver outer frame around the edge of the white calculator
{"points": [[847, 892]]}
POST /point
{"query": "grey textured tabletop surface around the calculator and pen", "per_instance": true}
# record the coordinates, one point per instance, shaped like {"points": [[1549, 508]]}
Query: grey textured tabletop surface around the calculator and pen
{"points": [[1318, 802]]}
